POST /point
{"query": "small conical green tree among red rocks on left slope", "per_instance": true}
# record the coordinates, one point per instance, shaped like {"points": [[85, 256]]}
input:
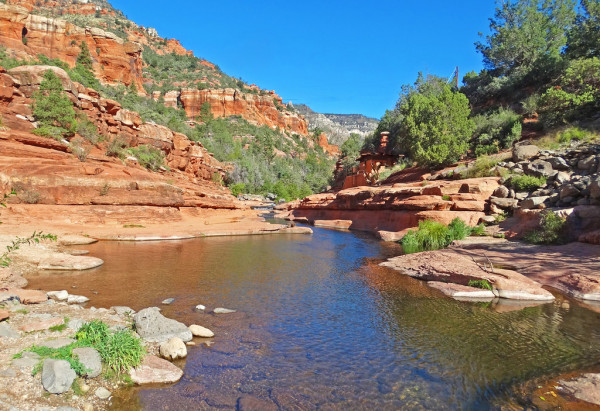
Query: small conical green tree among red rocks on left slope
{"points": [[52, 109]]}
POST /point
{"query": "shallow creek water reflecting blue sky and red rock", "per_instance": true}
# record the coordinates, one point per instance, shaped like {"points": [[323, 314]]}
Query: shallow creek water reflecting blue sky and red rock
{"points": [[320, 325]]}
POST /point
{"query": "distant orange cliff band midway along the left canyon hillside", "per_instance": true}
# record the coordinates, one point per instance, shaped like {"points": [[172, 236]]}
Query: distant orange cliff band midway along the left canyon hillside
{"points": [[255, 108]]}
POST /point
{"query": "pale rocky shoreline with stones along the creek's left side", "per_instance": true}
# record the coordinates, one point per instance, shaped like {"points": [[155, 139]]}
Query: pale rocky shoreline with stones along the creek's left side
{"points": [[52, 318]]}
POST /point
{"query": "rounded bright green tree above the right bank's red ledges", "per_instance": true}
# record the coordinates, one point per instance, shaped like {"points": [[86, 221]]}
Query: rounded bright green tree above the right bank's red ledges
{"points": [[437, 127]]}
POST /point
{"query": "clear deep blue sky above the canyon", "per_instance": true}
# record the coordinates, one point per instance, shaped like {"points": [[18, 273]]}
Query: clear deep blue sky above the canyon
{"points": [[337, 56]]}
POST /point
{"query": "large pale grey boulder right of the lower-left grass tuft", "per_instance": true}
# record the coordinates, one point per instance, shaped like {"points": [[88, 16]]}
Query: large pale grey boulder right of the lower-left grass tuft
{"points": [[152, 326]]}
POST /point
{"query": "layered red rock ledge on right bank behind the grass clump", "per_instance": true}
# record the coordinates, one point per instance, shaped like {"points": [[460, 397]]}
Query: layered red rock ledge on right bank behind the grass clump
{"points": [[393, 209]]}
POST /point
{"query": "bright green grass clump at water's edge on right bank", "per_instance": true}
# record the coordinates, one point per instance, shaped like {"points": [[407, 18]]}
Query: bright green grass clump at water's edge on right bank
{"points": [[432, 235]]}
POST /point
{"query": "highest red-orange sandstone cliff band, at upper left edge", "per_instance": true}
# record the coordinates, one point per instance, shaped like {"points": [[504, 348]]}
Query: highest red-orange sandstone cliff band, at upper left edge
{"points": [[26, 35]]}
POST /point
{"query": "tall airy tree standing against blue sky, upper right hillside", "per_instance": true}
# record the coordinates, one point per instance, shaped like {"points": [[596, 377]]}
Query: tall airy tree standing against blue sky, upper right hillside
{"points": [[525, 32]]}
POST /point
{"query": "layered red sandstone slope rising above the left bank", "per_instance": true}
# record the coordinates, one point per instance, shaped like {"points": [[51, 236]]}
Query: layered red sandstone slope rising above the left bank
{"points": [[45, 172]]}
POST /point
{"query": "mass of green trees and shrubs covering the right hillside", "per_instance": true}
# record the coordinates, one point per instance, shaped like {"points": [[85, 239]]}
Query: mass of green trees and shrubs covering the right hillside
{"points": [[541, 58]]}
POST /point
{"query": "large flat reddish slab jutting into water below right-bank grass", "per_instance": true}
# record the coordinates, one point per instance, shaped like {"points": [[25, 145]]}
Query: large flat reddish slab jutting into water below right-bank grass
{"points": [[449, 266]]}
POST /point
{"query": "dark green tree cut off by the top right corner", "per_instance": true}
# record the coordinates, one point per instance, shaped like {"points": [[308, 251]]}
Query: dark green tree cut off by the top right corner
{"points": [[584, 38]]}
